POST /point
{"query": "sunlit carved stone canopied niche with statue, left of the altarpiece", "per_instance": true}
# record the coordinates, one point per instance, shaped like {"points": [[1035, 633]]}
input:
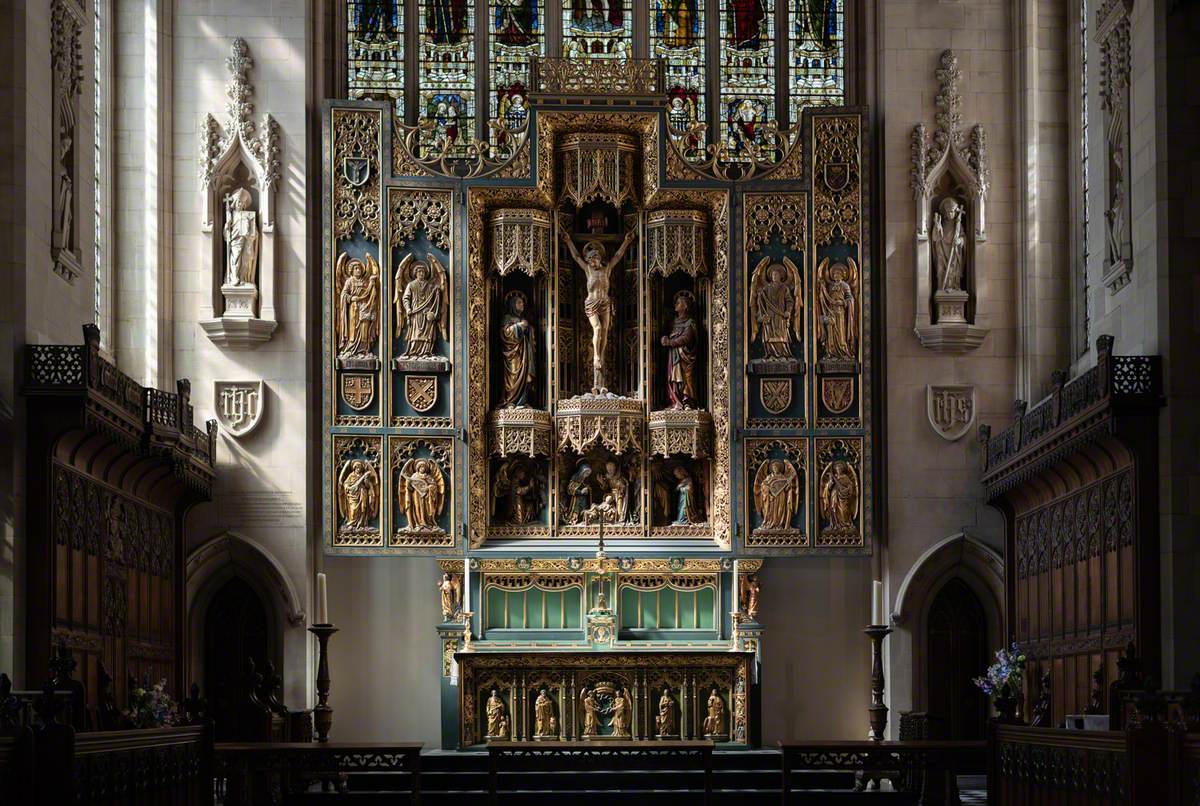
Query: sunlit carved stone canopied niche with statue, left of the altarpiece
{"points": [[239, 175]]}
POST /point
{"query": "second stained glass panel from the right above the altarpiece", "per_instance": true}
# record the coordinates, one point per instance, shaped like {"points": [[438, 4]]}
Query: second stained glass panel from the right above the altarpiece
{"points": [[748, 74]]}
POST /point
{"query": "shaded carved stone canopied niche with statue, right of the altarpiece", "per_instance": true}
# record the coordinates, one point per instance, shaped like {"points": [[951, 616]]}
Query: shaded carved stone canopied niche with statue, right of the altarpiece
{"points": [[950, 184]]}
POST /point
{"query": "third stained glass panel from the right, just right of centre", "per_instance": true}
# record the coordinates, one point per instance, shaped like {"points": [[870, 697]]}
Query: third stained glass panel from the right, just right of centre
{"points": [[677, 37]]}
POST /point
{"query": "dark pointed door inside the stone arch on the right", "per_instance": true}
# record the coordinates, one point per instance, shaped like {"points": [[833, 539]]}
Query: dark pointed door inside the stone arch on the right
{"points": [[957, 648]]}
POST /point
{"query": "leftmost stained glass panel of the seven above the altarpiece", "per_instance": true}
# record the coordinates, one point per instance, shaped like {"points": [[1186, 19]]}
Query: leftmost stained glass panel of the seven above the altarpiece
{"points": [[375, 51]]}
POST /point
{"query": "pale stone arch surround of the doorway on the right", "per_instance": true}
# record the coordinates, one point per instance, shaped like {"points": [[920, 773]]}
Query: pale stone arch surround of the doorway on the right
{"points": [[961, 557]]}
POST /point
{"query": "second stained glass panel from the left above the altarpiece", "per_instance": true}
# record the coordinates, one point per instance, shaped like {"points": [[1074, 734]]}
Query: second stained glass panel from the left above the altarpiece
{"points": [[447, 82]]}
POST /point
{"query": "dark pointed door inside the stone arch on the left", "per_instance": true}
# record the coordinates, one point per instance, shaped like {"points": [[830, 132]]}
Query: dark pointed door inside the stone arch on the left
{"points": [[235, 633]]}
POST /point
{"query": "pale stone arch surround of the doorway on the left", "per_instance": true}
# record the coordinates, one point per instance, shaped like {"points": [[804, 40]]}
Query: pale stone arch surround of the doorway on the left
{"points": [[211, 567]]}
